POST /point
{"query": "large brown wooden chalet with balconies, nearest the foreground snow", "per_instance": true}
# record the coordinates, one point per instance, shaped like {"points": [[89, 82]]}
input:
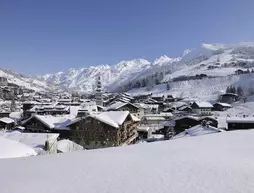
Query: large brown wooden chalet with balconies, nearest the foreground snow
{"points": [[106, 129]]}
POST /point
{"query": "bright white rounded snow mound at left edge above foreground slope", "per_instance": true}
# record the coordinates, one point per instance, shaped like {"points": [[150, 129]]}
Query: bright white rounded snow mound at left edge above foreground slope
{"points": [[11, 149]]}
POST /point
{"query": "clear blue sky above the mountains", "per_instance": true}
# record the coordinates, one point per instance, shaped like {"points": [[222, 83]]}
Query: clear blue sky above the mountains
{"points": [[46, 36]]}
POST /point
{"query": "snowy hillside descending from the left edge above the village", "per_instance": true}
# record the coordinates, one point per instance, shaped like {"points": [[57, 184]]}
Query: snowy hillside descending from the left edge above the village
{"points": [[28, 82]]}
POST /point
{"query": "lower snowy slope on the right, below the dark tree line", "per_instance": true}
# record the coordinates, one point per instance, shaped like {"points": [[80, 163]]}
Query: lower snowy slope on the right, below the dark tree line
{"points": [[206, 89]]}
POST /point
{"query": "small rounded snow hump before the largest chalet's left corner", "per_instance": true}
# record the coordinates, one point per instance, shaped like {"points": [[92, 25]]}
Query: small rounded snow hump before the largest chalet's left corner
{"points": [[66, 145]]}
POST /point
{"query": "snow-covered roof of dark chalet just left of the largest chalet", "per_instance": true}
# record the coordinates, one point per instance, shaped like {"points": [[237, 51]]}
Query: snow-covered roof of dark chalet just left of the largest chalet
{"points": [[53, 122]]}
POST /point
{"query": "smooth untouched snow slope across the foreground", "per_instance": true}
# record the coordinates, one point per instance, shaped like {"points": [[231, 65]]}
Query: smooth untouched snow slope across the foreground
{"points": [[222, 162]]}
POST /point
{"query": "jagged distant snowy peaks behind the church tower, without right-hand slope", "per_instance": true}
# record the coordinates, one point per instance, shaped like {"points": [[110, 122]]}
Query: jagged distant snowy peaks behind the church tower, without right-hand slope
{"points": [[83, 79]]}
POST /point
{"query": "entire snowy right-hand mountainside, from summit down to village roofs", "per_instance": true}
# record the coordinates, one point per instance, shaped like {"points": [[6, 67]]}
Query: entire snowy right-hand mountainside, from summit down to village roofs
{"points": [[217, 62]]}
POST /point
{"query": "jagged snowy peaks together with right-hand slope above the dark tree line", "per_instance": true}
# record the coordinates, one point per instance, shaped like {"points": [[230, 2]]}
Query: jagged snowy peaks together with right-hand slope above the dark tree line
{"points": [[222, 59]]}
